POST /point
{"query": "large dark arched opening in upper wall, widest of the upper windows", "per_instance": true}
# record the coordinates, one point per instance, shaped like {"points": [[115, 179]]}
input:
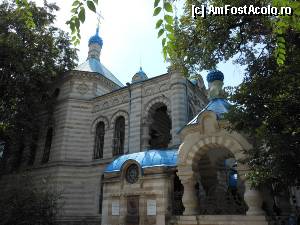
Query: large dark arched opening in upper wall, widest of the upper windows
{"points": [[160, 129]]}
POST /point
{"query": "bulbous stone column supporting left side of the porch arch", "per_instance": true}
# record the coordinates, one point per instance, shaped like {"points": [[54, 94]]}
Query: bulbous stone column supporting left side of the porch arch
{"points": [[189, 198]]}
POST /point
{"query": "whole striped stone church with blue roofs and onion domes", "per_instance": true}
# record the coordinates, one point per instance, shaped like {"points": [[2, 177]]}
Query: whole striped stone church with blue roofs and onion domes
{"points": [[151, 151]]}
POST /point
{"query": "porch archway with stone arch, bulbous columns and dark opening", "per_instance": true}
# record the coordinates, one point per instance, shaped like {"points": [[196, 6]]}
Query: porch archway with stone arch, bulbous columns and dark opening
{"points": [[204, 157]]}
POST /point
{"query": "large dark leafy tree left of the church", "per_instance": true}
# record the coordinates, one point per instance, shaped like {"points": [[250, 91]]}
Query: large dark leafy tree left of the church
{"points": [[31, 58]]}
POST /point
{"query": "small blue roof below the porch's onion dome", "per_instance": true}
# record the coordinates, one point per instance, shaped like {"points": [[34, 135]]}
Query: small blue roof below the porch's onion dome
{"points": [[217, 105]]}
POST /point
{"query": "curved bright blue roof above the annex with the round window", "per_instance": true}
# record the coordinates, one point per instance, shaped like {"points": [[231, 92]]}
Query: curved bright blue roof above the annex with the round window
{"points": [[147, 159]]}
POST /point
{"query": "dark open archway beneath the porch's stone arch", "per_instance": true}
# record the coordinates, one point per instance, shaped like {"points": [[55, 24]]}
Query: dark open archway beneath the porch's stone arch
{"points": [[218, 189]]}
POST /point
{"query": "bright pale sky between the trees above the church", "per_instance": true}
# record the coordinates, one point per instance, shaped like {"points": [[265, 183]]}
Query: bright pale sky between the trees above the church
{"points": [[129, 39]]}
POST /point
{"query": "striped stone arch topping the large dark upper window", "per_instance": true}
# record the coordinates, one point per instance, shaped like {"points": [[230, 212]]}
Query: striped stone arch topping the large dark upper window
{"points": [[155, 103]]}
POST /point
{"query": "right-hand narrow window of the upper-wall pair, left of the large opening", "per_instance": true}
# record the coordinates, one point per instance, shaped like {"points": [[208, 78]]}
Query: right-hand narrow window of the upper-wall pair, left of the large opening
{"points": [[119, 136]]}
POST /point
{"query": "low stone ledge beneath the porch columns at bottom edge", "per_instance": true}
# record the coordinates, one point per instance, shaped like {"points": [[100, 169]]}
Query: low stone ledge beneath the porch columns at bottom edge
{"points": [[220, 219]]}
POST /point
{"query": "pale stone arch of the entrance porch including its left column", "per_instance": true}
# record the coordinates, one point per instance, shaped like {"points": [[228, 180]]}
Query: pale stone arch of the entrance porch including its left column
{"points": [[191, 154]]}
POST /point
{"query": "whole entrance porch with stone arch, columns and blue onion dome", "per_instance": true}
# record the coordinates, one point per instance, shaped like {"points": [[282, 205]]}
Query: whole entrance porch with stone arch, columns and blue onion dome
{"points": [[206, 136]]}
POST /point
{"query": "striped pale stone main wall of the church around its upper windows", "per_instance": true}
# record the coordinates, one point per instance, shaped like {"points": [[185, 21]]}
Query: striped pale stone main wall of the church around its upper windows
{"points": [[75, 115]]}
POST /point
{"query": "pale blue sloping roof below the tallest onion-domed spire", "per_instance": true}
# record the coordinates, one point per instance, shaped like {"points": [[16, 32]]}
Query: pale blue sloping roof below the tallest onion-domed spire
{"points": [[94, 65]]}
